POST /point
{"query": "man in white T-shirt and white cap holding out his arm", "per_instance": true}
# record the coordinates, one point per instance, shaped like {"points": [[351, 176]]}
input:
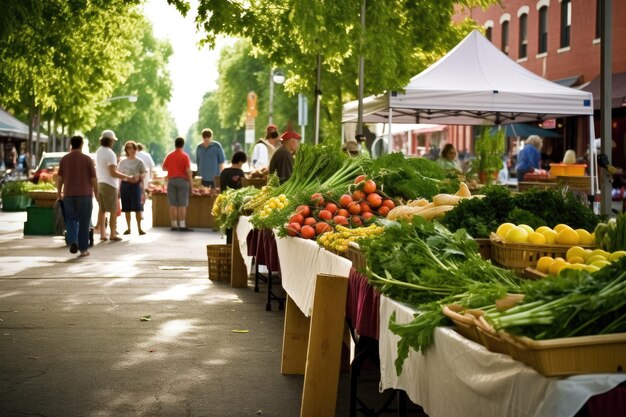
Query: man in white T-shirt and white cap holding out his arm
{"points": [[106, 170]]}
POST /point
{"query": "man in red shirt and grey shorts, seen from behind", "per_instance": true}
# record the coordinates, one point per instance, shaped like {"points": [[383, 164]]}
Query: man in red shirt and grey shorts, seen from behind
{"points": [[179, 184]]}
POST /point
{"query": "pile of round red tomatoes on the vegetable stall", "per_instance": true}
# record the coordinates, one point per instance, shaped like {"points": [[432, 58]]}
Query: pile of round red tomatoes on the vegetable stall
{"points": [[352, 210]]}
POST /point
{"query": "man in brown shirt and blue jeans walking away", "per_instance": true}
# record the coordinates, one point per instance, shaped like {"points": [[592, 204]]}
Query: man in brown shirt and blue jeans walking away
{"points": [[76, 185]]}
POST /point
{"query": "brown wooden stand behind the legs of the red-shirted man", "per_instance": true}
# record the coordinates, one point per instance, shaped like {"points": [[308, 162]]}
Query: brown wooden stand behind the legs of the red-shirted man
{"points": [[198, 211]]}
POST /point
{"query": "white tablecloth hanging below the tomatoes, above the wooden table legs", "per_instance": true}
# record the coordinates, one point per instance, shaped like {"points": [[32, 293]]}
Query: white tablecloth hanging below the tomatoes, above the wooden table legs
{"points": [[300, 262]]}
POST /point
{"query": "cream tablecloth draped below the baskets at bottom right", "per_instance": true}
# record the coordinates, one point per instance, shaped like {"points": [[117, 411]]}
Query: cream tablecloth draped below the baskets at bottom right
{"points": [[458, 378]]}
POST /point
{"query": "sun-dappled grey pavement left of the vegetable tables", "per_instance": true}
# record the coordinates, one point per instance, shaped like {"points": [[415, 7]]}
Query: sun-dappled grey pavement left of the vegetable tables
{"points": [[73, 343]]}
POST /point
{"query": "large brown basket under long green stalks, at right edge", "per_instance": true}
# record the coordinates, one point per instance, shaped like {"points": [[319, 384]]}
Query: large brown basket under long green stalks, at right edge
{"points": [[572, 355]]}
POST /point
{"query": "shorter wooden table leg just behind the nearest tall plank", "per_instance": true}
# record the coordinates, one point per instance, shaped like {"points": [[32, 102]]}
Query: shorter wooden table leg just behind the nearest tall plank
{"points": [[295, 340]]}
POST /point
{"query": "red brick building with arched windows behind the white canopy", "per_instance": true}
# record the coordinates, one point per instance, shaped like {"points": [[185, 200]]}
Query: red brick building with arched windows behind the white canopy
{"points": [[560, 40]]}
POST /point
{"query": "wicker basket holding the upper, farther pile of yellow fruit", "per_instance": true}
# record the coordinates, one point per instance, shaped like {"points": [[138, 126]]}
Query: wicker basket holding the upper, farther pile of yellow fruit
{"points": [[523, 255]]}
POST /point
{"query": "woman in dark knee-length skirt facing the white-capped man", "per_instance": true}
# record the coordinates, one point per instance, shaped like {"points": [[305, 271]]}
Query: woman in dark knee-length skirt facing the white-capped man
{"points": [[131, 191]]}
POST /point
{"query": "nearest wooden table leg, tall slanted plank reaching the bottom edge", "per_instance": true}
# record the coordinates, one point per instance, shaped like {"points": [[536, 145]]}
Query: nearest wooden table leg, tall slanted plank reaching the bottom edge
{"points": [[321, 376]]}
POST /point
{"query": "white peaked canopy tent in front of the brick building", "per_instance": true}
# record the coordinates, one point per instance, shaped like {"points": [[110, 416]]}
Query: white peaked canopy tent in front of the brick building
{"points": [[475, 83]]}
